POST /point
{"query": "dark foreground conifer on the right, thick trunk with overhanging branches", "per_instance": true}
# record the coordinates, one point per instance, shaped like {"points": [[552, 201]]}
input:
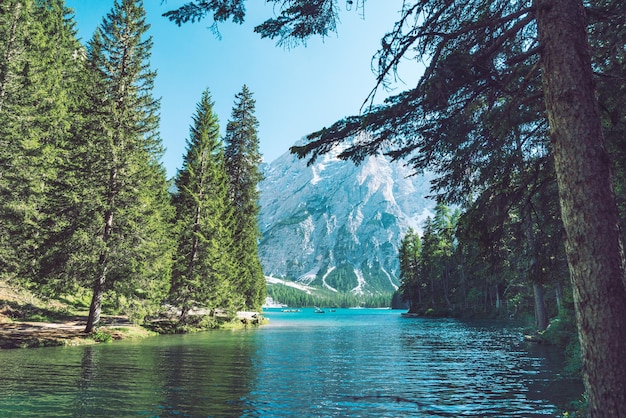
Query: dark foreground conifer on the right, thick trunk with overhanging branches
{"points": [[502, 80]]}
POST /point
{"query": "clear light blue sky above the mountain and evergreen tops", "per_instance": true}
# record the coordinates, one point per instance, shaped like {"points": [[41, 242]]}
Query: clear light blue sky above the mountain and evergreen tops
{"points": [[297, 91]]}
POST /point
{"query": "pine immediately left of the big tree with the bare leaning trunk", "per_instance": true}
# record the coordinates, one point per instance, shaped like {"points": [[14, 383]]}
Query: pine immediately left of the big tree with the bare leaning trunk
{"points": [[62, 78]]}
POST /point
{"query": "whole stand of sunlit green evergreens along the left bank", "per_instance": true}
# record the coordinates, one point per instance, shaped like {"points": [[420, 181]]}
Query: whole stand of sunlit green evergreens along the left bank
{"points": [[85, 205]]}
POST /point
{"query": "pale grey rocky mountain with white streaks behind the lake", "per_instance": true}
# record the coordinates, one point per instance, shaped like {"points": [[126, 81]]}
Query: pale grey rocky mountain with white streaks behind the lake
{"points": [[336, 225]]}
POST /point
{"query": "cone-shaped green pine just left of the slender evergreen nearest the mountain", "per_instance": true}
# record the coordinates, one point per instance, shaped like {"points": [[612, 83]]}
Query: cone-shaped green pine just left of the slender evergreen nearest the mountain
{"points": [[202, 266]]}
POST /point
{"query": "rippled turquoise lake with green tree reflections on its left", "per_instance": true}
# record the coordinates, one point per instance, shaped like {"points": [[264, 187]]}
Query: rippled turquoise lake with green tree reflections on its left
{"points": [[351, 362]]}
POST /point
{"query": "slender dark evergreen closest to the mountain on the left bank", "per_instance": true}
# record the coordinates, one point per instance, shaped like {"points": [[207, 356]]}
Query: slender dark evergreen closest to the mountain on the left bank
{"points": [[243, 161]]}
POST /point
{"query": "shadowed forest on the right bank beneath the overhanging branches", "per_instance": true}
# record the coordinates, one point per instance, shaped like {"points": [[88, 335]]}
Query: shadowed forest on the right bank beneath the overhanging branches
{"points": [[450, 270]]}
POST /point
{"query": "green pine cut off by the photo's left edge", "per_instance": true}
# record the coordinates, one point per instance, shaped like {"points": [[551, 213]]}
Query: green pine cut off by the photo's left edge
{"points": [[16, 207]]}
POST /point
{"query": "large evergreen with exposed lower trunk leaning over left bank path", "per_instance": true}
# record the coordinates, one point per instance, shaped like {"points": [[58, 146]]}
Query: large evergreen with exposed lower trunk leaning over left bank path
{"points": [[127, 242]]}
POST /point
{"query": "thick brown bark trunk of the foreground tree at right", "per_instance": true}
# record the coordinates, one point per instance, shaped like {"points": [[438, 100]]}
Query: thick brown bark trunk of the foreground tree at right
{"points": [[589, 212]]}
